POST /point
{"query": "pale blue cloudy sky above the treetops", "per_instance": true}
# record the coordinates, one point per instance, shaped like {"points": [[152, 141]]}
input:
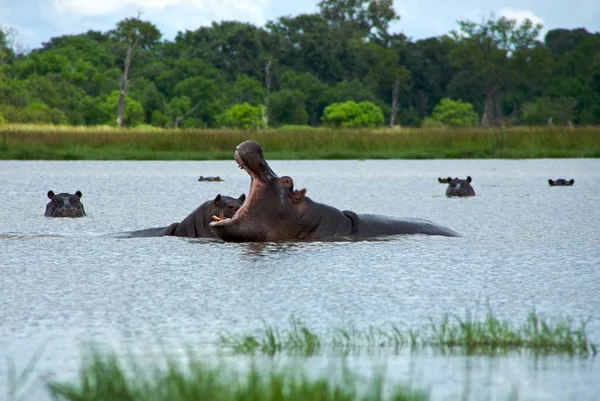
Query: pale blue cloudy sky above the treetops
{"points": [[36, 21]]}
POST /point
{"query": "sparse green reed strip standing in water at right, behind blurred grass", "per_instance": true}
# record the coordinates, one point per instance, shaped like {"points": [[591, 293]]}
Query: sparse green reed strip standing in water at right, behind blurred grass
{"points": [[487, 336]]}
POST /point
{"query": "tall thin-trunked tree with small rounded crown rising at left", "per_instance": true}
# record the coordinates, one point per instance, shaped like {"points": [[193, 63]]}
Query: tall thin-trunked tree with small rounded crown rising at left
{"points": [[132, 36]]}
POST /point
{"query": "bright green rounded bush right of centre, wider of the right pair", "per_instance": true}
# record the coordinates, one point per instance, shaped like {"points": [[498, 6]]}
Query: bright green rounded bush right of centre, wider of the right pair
{"points": [[352, 114]]}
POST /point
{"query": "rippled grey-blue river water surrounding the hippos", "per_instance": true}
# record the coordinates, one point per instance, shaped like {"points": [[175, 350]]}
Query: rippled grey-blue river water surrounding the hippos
{"points": [[524, 245]]}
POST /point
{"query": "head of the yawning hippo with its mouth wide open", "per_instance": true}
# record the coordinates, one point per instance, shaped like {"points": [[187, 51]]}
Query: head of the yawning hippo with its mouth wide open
{"points": [[271, 202]]}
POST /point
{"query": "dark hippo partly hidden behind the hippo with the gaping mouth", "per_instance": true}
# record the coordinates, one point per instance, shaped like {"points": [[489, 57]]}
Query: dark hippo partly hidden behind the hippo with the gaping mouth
{"points": [[195, 225]]}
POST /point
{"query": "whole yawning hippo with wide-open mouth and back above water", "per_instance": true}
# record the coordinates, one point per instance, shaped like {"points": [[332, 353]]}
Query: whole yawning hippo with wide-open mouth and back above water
{"points": [[274, 211]]}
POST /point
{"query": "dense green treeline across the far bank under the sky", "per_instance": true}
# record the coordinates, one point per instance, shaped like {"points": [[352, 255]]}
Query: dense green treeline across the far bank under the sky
{"points": [[288, 72]]}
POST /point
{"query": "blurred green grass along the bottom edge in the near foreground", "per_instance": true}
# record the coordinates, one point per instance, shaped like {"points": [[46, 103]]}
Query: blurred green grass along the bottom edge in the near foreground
{"points": [[106, 376]]}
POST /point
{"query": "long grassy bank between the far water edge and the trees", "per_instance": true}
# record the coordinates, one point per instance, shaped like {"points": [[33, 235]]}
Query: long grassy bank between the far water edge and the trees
{"points": [[29, 142]]}
